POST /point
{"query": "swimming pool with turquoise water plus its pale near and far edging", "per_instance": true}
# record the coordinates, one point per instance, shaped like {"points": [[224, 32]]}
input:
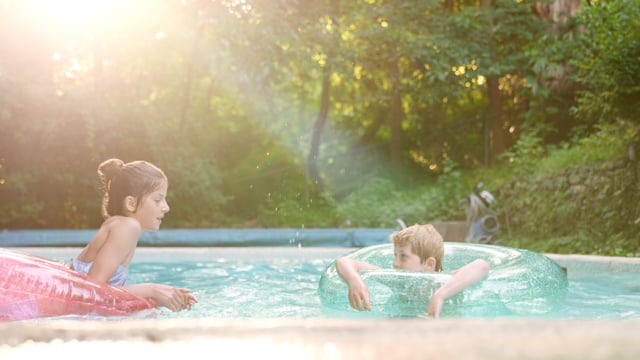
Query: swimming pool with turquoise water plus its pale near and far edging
{"points": [[603, 326]]}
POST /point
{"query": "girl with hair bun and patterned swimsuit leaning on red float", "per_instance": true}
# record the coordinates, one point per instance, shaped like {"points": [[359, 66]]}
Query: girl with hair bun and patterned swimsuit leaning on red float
{"points": [[134, 200]]}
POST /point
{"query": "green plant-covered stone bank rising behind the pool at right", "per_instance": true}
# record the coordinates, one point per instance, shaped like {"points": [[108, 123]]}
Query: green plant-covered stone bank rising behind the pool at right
{"points": [[581, 198]]}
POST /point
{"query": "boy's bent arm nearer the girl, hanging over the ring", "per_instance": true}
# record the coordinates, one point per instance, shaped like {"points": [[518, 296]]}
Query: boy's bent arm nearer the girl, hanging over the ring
{"points": [[358, 292]]}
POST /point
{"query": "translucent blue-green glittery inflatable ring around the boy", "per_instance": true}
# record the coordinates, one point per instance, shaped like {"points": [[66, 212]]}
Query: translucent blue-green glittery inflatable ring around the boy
{"points": [[520, 282]]}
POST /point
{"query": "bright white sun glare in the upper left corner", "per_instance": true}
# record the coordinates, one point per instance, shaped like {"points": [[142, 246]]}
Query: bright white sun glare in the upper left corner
{"points": [[77, 35]]}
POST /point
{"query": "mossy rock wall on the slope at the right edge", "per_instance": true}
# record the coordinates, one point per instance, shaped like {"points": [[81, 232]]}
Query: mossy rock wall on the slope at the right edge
{"points": [[598, 198]]}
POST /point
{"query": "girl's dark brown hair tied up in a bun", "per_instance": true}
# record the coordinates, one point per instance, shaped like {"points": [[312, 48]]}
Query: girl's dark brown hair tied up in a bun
{"points": [[119, 180]]}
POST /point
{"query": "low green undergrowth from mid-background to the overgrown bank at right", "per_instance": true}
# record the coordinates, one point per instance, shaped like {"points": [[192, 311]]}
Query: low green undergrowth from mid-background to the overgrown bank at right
{"points": [[582, 197]]}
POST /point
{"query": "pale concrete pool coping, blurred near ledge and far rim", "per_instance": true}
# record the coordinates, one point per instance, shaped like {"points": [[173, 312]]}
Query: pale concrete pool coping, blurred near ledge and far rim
{"points": [[503, 338]]}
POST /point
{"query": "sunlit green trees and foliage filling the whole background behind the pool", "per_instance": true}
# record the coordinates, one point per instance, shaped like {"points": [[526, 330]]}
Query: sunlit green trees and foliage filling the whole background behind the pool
{"points": [[223, 96]]}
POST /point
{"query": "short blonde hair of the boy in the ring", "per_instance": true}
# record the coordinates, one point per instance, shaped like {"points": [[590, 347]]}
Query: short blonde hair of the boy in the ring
{"points": [[425, 242]]}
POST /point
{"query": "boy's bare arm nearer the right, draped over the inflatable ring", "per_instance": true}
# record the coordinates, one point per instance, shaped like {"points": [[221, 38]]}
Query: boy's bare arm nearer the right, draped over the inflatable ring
{"points": [[462, 278]]}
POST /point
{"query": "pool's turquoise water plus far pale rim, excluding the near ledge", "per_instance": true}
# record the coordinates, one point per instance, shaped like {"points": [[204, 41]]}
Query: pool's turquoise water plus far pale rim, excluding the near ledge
{"points": [[282, 282]]}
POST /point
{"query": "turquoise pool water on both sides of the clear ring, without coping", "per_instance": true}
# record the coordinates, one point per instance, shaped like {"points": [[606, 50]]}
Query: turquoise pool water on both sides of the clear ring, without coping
{"points": [[287, 288]]}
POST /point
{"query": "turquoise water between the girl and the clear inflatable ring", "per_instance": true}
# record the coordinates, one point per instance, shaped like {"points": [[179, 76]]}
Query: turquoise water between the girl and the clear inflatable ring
{"points": [[226, 288]]}
